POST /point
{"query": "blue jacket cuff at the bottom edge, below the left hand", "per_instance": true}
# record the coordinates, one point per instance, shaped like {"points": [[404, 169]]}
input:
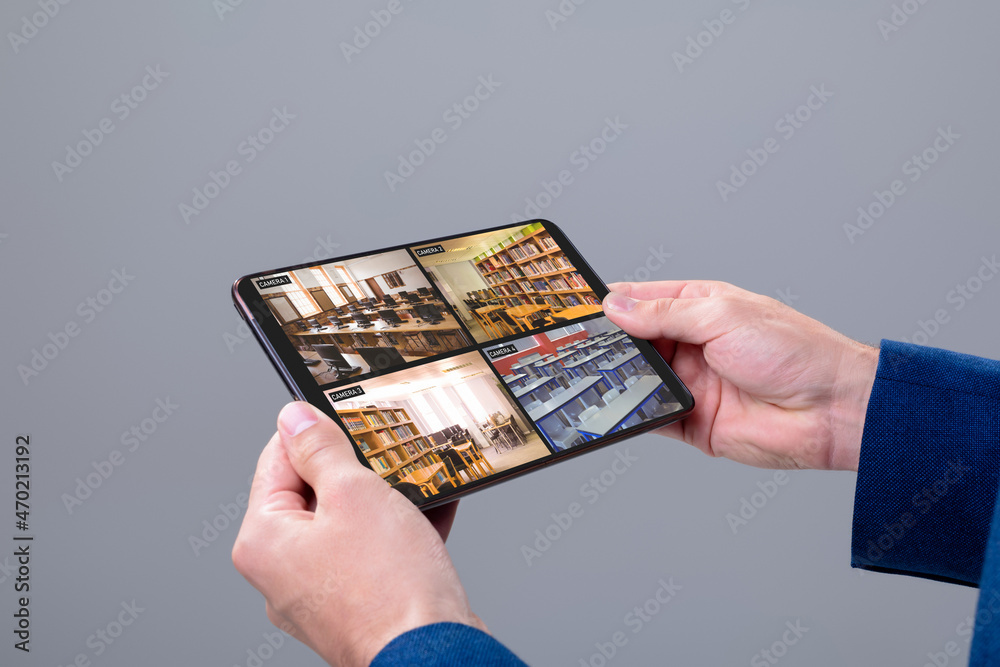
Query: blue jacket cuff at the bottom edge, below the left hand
{"points": [[445, 645]]}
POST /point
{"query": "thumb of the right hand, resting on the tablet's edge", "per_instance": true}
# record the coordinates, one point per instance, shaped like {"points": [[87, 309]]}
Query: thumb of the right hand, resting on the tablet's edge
{"points": [[694, 320]]}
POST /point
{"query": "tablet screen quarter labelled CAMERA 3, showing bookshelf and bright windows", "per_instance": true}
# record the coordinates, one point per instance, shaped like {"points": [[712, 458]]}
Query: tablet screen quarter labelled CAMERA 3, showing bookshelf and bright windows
{"points": [[438, 426]]}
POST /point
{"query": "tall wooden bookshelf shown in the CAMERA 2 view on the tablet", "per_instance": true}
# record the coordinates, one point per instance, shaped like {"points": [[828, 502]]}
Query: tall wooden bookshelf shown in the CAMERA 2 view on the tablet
{"points": [[529, 265]]}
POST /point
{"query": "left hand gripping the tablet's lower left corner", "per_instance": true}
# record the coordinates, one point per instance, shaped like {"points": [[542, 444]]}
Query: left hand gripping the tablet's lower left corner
{"points": [[345, 562]]}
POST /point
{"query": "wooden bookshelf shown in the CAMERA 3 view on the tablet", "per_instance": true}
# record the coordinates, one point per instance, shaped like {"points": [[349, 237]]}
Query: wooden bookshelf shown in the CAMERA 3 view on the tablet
{"points": [[389, 440]]}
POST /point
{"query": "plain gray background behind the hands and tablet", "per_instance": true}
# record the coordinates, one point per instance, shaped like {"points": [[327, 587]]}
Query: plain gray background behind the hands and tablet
{"points": [[171, 332]]}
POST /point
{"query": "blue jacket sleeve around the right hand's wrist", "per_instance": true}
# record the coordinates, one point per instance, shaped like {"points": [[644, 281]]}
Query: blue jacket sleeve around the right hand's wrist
{"points": [[930, 458]]}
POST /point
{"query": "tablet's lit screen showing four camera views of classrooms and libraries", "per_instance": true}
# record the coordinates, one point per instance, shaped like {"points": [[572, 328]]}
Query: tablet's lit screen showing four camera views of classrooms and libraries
{"points": [[453, 361]]}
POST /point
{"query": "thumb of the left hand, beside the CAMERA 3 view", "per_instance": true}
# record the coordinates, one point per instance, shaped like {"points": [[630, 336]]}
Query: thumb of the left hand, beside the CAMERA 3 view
{"points": [[316, 446]]}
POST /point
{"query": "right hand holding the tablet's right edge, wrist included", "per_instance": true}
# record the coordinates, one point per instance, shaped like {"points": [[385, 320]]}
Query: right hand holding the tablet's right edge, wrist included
{"points": [[773, 388]]}
